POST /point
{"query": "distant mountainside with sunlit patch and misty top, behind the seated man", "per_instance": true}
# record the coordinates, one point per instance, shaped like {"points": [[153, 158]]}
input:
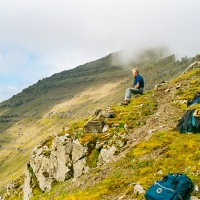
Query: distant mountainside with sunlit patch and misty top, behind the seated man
{"points": [[61, 100]]}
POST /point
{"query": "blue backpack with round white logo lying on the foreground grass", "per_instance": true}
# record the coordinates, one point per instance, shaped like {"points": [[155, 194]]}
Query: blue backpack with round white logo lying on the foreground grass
{"points": [[171, 187]]}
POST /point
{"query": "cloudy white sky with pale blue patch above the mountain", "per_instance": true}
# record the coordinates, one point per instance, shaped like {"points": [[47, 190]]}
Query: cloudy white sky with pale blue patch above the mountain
{"points": [[41, 37]]}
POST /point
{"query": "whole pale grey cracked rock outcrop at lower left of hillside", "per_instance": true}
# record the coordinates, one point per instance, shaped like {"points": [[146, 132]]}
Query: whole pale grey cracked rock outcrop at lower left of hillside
{"points": [[64, 160]]}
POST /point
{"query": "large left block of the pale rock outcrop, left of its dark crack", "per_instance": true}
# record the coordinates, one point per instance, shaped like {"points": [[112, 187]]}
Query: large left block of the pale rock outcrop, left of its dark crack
{"points": [[54, 164]]}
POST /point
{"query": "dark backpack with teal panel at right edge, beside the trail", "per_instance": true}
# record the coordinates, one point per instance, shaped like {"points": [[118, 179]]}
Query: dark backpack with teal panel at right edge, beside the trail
{"points": [[189, 123]]}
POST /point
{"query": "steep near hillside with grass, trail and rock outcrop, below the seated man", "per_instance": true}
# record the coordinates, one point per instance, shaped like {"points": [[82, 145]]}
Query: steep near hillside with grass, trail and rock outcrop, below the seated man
{"points": [[139, 145]]}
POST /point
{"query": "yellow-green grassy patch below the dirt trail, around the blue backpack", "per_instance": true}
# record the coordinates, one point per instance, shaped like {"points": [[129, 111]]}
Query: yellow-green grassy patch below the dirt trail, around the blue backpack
{"points": [[165, 152]]}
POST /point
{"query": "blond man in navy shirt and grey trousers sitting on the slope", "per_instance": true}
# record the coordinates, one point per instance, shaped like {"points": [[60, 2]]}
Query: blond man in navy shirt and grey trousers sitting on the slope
{"points": [[137, 88]]}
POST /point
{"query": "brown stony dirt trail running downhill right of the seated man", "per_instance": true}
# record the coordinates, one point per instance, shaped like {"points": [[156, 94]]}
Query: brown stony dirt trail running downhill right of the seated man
{"points": [[162, 119]]}
